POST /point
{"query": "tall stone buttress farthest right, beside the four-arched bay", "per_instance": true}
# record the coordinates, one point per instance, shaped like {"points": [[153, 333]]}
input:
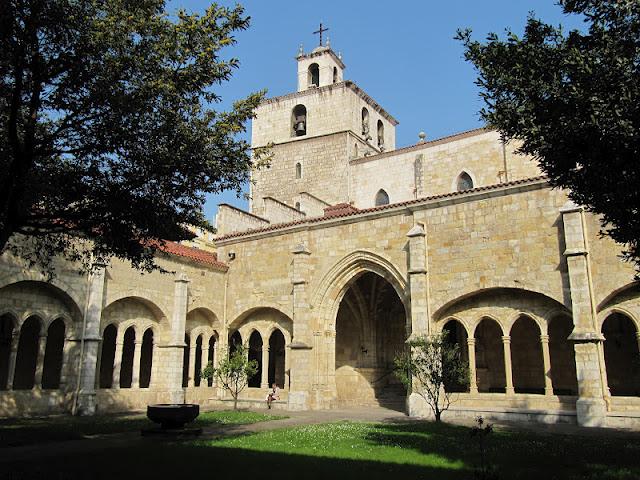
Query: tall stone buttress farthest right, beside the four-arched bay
{"points": [[590, 369]]}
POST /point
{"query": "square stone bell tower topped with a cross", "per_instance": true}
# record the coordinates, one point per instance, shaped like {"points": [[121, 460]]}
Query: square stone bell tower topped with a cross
{"points": [[314, 134]]}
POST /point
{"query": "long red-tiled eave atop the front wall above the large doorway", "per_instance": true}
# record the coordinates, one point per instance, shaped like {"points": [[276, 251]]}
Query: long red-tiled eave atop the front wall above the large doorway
{"points": [[279, 226]]}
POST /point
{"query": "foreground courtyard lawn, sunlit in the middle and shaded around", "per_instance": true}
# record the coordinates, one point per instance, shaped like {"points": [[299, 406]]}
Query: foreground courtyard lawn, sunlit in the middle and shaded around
{"points": [[350, 450]]}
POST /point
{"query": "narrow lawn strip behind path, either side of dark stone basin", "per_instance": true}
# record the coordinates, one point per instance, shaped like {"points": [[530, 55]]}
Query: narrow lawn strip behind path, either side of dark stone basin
{"points": [[25, 431]]}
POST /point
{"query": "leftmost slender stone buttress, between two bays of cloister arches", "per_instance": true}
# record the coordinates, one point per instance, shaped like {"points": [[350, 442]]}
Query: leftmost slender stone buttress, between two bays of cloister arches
{"points": [[90, 342]]}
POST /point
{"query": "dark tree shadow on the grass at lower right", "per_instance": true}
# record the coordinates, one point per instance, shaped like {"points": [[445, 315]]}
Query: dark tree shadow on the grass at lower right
{"points": [[523, 454]]}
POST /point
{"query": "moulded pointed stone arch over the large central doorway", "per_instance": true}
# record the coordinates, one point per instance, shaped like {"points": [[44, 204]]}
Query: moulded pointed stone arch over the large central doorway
{"points": [[336, 281]]}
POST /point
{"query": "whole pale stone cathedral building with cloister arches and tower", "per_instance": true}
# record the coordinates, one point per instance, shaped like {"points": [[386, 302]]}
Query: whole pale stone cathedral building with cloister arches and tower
{"points": [[350, 247]]}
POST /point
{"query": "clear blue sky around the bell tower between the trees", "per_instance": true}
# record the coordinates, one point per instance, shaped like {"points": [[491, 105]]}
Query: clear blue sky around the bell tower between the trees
{"points": [[402, 53]]}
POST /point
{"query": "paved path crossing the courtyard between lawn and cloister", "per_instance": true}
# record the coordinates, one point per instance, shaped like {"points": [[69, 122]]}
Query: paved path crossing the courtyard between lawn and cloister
{"points": [[362, 414]]}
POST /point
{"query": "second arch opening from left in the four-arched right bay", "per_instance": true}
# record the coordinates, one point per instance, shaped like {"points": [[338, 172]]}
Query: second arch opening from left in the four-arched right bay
{"points": [[490, 367]]}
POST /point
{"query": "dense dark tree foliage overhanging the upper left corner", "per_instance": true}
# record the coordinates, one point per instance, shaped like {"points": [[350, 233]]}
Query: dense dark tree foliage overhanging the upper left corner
{"points": [[108, 138]]}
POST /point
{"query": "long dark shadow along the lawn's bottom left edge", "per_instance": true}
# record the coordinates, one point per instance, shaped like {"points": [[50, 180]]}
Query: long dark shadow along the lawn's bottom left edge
{"points": [[181, 460]]}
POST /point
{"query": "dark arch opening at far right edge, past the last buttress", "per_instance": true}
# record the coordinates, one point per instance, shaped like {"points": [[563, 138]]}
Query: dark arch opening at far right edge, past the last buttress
{"points": [[621, 354]]}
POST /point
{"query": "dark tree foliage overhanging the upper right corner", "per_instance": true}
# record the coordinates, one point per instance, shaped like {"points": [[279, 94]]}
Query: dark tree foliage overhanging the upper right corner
{"points": [[572, 98]]}
